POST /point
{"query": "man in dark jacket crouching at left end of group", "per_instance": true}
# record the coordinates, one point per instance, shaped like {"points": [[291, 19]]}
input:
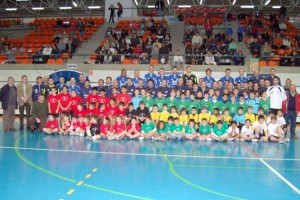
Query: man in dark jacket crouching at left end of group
{"points": [[39, 114]]}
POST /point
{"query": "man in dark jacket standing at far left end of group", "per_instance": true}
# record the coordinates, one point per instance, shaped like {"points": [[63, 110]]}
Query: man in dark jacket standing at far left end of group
{"points": [[8, 97]]}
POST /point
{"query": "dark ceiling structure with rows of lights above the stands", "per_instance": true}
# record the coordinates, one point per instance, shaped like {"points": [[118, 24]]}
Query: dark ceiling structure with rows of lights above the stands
{"points": [[52, 8]]}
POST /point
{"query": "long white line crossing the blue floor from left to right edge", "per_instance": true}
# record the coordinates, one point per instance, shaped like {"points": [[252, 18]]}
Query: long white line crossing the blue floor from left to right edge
{"points": [[147, 154]]}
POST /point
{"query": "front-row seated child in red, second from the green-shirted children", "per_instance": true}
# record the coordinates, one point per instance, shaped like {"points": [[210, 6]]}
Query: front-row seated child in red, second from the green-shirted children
{"points": [[118, 130]]}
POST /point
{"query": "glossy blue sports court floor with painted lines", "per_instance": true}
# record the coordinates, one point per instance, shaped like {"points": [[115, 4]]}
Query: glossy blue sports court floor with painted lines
{"points": [[36, 166]]}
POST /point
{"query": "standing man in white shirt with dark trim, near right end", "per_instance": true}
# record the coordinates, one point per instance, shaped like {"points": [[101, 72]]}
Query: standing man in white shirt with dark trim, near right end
{"points": [[277, 96]]}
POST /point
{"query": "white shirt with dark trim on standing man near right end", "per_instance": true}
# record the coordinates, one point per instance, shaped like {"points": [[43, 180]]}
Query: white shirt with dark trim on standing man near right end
{"points": [[277, 95]]}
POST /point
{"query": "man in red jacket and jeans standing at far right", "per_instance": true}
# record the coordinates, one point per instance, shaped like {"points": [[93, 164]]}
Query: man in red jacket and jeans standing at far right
{"points": [[291, 108]]}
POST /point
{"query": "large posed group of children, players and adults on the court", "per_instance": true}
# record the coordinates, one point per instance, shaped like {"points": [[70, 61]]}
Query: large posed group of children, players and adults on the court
{"points": [[157, 106]]}
